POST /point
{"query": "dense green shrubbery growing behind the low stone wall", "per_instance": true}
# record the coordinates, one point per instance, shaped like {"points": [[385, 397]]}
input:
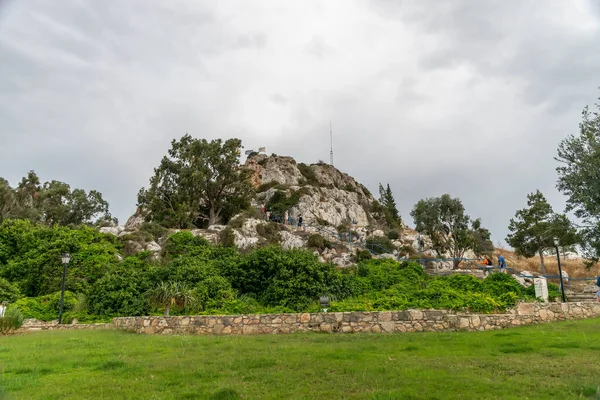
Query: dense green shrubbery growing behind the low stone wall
{"points": [[193, 276]]}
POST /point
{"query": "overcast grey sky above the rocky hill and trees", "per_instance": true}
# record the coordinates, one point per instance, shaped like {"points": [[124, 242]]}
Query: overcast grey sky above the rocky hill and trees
{"points": [[466, 97]]}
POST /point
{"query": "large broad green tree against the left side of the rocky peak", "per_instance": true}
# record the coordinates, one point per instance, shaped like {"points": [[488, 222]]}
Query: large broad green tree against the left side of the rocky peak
{"points": [[198, 182]]}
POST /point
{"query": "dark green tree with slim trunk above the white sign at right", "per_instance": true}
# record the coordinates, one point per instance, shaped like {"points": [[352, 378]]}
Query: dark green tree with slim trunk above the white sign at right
{"points": [[534, 228]]}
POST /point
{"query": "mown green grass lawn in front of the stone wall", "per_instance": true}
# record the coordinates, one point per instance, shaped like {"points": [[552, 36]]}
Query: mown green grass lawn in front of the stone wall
{"points": [[552, 361]]}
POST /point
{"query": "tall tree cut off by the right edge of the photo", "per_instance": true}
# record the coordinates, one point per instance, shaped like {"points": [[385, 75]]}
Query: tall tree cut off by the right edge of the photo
{"points": [[579, 179]]}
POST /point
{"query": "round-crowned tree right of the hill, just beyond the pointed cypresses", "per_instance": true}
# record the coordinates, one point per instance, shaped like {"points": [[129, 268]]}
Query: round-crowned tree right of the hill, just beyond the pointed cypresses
{"points": [[450, 230]]}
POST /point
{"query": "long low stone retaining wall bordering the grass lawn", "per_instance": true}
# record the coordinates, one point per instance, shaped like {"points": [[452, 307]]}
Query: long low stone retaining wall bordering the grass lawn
{"points": [[347, 322]]}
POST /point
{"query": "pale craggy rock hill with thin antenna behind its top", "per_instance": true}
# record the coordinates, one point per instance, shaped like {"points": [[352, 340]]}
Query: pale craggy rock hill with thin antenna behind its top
{"points": [[332, 204]]}
